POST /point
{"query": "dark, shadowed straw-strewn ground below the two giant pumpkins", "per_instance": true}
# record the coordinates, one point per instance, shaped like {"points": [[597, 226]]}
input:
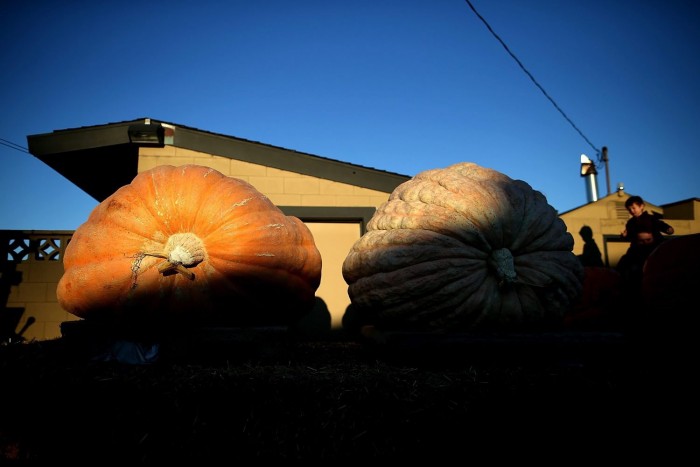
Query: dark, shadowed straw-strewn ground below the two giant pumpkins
{"points": [[225, 395]]}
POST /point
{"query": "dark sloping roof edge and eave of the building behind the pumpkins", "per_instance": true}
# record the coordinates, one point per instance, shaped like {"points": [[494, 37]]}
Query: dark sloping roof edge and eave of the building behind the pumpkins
{"points": [[110, 150]]}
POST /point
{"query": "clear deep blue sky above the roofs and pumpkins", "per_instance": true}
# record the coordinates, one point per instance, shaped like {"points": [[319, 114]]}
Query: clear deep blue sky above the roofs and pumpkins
{"points": [[398, 85]]}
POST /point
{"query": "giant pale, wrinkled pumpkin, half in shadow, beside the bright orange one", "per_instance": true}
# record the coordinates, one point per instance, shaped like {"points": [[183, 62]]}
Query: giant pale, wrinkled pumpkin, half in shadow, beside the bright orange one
{"points": [[463, 248]]}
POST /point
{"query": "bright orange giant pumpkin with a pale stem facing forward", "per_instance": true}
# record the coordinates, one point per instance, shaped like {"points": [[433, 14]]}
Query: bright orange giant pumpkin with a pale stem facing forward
{"points": [[247, 260]]}
